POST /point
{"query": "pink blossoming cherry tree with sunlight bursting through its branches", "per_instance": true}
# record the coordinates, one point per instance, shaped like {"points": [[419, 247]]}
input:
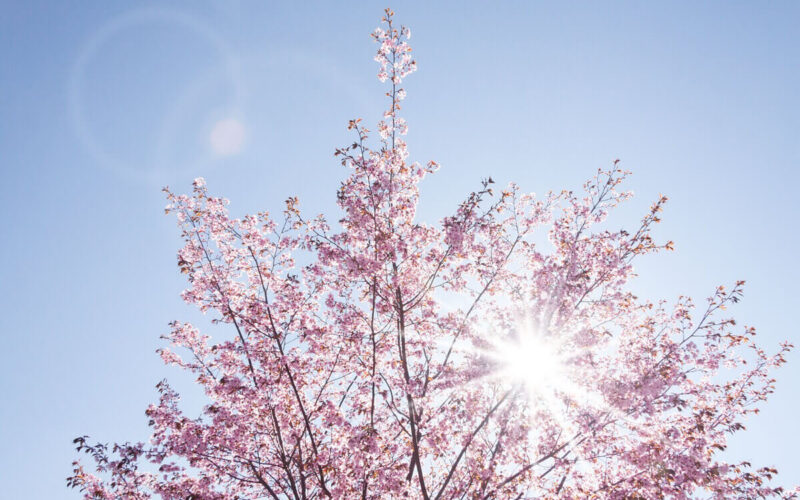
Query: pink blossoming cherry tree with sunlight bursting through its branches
{"points": [[463, 360]]}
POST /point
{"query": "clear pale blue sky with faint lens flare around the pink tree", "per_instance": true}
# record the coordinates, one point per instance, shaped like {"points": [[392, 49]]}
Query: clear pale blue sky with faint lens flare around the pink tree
{"points": [[103, 103]]}
